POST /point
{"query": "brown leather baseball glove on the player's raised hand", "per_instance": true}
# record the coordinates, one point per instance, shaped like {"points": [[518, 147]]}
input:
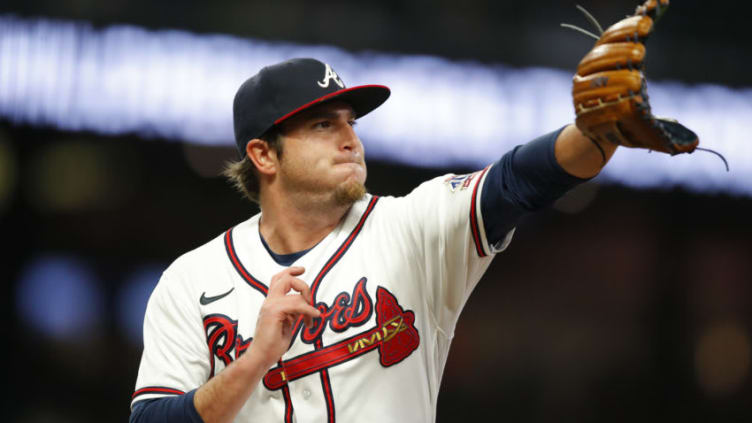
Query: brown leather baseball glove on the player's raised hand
{"points": [[610, 91]]}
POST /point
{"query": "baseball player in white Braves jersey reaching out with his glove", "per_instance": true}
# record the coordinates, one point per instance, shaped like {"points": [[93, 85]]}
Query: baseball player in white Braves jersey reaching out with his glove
{"points": [[333, 304]]}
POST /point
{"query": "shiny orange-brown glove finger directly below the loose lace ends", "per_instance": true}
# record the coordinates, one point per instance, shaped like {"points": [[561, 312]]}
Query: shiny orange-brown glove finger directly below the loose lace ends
{"points": [[612, 56]]}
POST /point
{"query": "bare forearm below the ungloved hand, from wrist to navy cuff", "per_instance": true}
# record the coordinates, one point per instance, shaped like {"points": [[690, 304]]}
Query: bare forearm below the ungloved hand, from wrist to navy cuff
{"points": [[220, 399]]}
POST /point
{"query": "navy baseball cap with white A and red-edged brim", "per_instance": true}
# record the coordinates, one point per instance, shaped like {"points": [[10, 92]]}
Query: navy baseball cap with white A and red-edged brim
{"points": [[281, 91]]}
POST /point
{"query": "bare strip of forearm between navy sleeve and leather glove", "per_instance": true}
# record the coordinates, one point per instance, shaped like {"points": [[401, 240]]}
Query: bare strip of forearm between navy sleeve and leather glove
{"points": [[579, 156]]}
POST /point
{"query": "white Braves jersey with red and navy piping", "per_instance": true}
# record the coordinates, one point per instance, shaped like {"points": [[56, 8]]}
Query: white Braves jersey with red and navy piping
{"points": [[390, 282]]}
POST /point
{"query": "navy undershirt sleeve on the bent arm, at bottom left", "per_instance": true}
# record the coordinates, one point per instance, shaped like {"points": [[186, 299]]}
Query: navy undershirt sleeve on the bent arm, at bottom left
{"points": [[177, 409]]}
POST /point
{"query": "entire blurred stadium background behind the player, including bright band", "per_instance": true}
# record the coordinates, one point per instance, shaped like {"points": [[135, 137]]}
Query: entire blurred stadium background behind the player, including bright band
{"points": [[625, 302]]}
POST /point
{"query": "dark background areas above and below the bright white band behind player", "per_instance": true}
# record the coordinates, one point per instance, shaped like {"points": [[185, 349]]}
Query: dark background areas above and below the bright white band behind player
{"points": [[615, 305]]}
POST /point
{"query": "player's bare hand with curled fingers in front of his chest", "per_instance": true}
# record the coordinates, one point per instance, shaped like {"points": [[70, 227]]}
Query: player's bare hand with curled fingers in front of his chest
{"points": [[288, 299]]}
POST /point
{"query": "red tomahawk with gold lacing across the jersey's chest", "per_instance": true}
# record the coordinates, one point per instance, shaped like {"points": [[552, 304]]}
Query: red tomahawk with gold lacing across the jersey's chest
{"points": [[394, 336]]}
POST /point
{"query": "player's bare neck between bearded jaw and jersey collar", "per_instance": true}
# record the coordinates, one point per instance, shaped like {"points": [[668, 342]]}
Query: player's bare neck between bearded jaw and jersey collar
{"points": [[289, 226]]}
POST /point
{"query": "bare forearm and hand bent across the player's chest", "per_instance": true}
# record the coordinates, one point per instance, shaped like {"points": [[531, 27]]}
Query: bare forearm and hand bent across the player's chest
{"points": [[220, 399]]}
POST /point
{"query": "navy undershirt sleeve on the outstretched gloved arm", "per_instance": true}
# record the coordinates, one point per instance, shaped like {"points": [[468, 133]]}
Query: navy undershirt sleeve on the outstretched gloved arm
{"points": [[525, 179]]}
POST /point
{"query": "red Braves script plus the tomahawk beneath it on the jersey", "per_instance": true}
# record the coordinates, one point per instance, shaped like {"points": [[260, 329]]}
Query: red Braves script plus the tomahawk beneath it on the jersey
{"points": [[394, 335]]}
